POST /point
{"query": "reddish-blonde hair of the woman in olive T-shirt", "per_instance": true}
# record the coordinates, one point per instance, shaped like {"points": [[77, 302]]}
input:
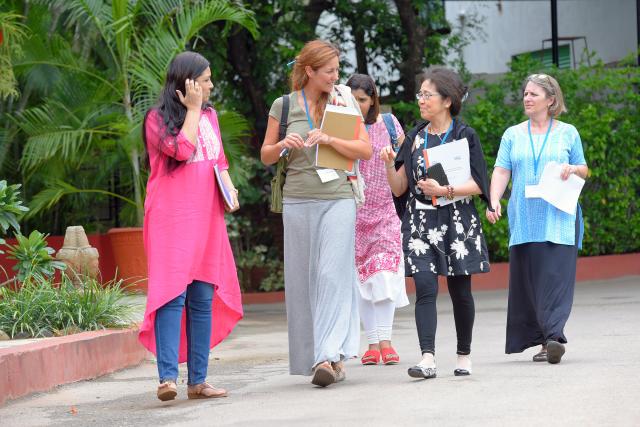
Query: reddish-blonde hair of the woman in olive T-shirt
{"points": [[314, 54]]}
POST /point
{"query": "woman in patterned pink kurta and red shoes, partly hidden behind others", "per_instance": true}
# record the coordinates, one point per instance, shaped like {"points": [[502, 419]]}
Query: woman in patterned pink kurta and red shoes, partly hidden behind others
{"points": [[379, 258]]}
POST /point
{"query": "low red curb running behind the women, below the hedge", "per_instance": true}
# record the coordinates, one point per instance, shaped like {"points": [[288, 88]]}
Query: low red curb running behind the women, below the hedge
{"points": [[589, 268]]}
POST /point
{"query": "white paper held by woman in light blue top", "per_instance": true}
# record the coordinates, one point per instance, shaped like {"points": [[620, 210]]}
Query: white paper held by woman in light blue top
{"points": [[563, 194]]}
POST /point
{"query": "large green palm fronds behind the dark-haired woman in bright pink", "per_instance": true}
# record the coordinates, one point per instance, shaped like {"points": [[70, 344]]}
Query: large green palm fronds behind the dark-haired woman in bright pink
{"points": [[93, 69]]}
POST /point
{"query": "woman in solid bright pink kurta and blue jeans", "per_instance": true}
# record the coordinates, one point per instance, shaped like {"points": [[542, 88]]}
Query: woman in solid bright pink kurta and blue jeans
{"points": [[193, 299]]}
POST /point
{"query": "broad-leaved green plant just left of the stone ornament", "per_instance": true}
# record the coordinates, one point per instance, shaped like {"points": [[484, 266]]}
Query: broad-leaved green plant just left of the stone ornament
{"points": [[33, 257]]}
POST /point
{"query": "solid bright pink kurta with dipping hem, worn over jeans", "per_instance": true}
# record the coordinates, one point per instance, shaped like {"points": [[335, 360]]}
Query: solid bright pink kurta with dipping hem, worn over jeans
{"points": [[185, 235]]}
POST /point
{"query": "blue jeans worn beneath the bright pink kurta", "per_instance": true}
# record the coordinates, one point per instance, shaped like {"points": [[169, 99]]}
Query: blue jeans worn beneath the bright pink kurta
{"points": [[197, 302]]}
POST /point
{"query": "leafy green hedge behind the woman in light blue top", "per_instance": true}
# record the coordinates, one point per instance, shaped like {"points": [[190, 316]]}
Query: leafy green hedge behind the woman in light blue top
{"points": [[603, 104]]}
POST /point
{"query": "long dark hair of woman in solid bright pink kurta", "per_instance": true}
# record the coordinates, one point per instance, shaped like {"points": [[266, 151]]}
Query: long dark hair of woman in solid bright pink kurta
{"points": [[186, 65]]}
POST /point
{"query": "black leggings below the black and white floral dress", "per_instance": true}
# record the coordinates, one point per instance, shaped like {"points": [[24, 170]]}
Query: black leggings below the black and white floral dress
{"points": [[426, 314]]}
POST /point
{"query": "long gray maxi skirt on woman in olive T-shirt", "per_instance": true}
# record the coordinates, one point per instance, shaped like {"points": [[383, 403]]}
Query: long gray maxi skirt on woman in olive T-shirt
{"points": [[321, 287]]}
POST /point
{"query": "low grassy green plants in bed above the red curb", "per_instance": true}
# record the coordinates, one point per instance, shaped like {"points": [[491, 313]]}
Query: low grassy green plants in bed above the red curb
{"points": [[42, 308]]}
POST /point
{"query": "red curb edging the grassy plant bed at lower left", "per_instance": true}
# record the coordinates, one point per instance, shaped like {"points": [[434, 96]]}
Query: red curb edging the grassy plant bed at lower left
{"points": [[41, 366]]}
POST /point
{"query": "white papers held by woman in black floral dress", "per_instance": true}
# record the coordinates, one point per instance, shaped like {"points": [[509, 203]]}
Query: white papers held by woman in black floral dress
{"points": [[454, 157]]}
